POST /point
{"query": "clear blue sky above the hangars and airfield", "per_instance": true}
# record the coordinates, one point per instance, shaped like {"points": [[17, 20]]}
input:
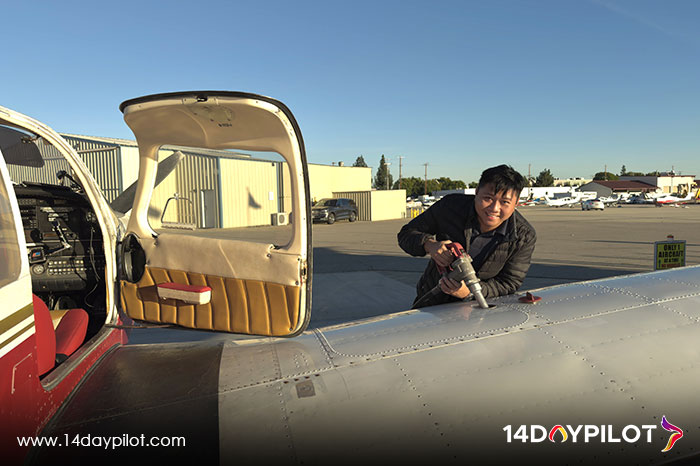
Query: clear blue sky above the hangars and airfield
{"points": [[568, 85]]}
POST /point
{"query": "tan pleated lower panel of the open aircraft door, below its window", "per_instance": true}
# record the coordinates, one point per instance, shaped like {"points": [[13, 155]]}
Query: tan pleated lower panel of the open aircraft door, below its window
{"points": [[254, 288]]}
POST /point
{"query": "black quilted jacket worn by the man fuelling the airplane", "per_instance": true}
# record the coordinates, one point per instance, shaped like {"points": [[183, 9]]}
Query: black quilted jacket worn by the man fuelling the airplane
{"points": [[453, 218]]}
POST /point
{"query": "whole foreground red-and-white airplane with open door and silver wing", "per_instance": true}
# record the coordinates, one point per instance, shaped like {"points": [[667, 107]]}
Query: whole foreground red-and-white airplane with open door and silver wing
{"points": [[601, 370]]}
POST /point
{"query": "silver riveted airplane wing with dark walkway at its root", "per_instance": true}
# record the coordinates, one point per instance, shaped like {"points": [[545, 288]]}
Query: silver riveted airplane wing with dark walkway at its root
{"points": [[586, 374]]}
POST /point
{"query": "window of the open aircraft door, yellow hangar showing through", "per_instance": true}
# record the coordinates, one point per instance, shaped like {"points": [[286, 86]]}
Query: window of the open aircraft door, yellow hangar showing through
{"points": [[224, 194]]}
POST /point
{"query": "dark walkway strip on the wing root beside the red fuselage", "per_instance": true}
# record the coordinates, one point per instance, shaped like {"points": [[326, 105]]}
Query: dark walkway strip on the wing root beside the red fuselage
{"points": [[167, 390]]}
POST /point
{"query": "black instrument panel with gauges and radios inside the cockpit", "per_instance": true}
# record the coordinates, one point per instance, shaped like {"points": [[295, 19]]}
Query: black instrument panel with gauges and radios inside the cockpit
{"points": [[64, 240]]}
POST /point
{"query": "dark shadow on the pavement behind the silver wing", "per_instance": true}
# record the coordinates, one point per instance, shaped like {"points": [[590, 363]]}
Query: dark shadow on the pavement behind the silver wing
{"points": [[349, 287]]}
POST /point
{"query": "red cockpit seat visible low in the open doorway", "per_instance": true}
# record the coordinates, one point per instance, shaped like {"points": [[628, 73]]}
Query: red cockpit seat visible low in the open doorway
{"points": [[60, 343]]}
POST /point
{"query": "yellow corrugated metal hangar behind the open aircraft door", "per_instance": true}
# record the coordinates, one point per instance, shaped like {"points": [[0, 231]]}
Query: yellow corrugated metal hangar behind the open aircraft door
{"points": [[223, 189]]}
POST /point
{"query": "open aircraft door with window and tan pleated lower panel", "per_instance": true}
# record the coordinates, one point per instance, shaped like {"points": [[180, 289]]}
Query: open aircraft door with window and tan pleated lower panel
{"points": [[208, 278]]}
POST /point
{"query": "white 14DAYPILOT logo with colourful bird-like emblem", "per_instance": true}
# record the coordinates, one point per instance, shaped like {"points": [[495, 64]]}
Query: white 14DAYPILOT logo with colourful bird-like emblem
{"points": [[590, 432]]}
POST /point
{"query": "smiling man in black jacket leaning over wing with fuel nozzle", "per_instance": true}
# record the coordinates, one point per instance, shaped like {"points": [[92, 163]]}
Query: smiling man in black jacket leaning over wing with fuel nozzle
{"points": [[497, 237]]}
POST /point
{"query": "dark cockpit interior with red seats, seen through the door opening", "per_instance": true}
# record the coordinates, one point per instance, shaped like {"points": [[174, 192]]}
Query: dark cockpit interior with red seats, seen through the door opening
{"points": [[64, 241]]}
